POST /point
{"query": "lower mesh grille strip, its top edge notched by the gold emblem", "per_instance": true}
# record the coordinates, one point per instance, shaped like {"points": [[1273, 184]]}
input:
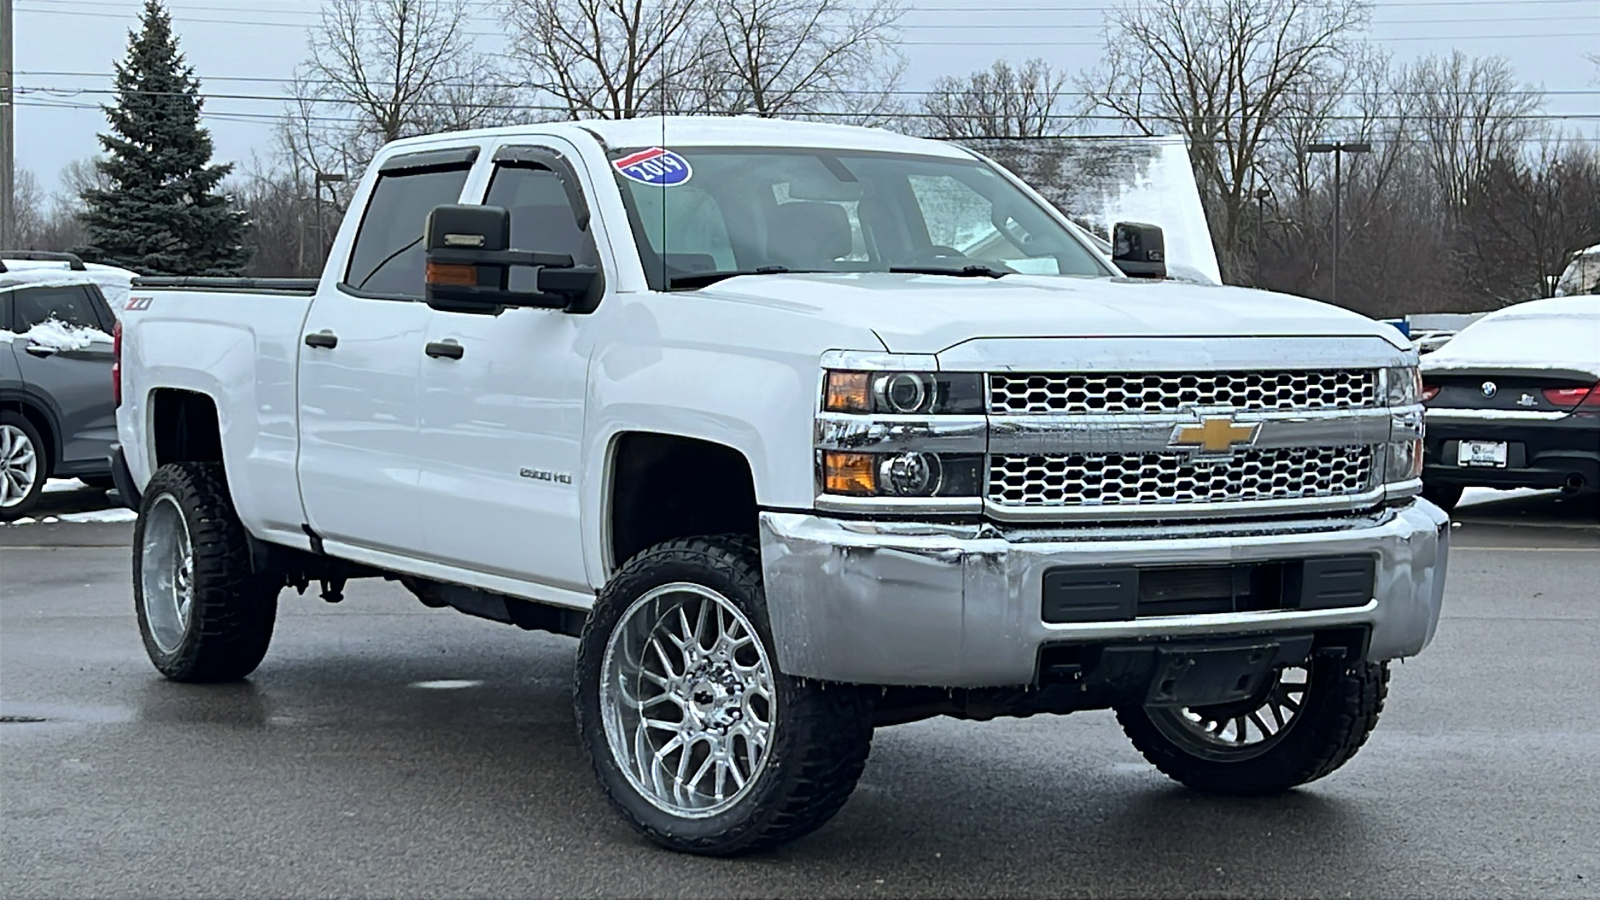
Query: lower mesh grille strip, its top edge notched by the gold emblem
{"points": [[1119, 480]]}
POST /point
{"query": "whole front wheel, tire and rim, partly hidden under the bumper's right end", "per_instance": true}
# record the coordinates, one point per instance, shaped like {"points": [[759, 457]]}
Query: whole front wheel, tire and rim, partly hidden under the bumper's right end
{"points": [[1308, 725]]}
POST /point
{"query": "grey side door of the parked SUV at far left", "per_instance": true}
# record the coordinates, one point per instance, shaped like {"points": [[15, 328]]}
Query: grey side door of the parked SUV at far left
{"points": [[63, 353]]}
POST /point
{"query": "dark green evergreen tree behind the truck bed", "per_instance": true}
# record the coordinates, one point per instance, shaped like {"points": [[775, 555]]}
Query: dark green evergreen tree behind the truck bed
{"points": [[162, 214]]}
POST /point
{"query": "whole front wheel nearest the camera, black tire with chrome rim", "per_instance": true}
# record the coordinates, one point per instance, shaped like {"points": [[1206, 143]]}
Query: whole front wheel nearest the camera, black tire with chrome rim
{"points": [[697, 737]]}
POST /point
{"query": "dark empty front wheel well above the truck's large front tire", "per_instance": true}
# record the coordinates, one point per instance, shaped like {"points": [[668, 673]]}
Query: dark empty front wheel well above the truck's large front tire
{"points": [[670, 488]]}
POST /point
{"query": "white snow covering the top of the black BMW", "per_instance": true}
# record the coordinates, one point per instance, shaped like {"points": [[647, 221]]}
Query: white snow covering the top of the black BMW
{"points": [[1540, 334]]}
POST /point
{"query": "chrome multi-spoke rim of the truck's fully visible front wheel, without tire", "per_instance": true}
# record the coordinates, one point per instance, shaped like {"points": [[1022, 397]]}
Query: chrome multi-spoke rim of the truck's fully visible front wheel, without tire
{"points": [[689, 701]]}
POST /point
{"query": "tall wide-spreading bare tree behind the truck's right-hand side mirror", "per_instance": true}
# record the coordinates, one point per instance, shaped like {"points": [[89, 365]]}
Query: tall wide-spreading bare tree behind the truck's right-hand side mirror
{"points": [[1223, 74]]}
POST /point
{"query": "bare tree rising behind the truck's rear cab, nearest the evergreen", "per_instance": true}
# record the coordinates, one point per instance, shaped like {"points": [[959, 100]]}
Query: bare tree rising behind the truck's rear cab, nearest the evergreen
{"points": [[386, 70]]}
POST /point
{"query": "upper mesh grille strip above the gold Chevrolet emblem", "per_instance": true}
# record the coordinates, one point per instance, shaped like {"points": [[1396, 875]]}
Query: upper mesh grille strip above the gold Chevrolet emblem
{"points": [[1175, 392]]}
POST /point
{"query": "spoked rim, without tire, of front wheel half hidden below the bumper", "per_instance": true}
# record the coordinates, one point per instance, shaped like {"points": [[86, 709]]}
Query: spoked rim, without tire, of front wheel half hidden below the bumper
{"points": [[1238, 731]]}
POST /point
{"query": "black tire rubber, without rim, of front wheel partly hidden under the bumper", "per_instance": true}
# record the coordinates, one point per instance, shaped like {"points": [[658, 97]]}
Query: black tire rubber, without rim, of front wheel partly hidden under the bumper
{"points": [[1340, 710]]}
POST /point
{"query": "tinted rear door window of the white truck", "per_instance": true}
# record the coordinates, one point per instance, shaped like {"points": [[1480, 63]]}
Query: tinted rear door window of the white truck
{"points": [[388, 255]]}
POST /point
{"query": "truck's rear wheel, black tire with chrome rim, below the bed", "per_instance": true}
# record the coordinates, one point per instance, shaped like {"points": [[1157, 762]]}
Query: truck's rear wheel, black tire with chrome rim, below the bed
{"points": [[204, 614]]}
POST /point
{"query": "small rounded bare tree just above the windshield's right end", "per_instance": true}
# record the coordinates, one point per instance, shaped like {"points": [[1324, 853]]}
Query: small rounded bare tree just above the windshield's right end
{"points": [[998, 103]]}
